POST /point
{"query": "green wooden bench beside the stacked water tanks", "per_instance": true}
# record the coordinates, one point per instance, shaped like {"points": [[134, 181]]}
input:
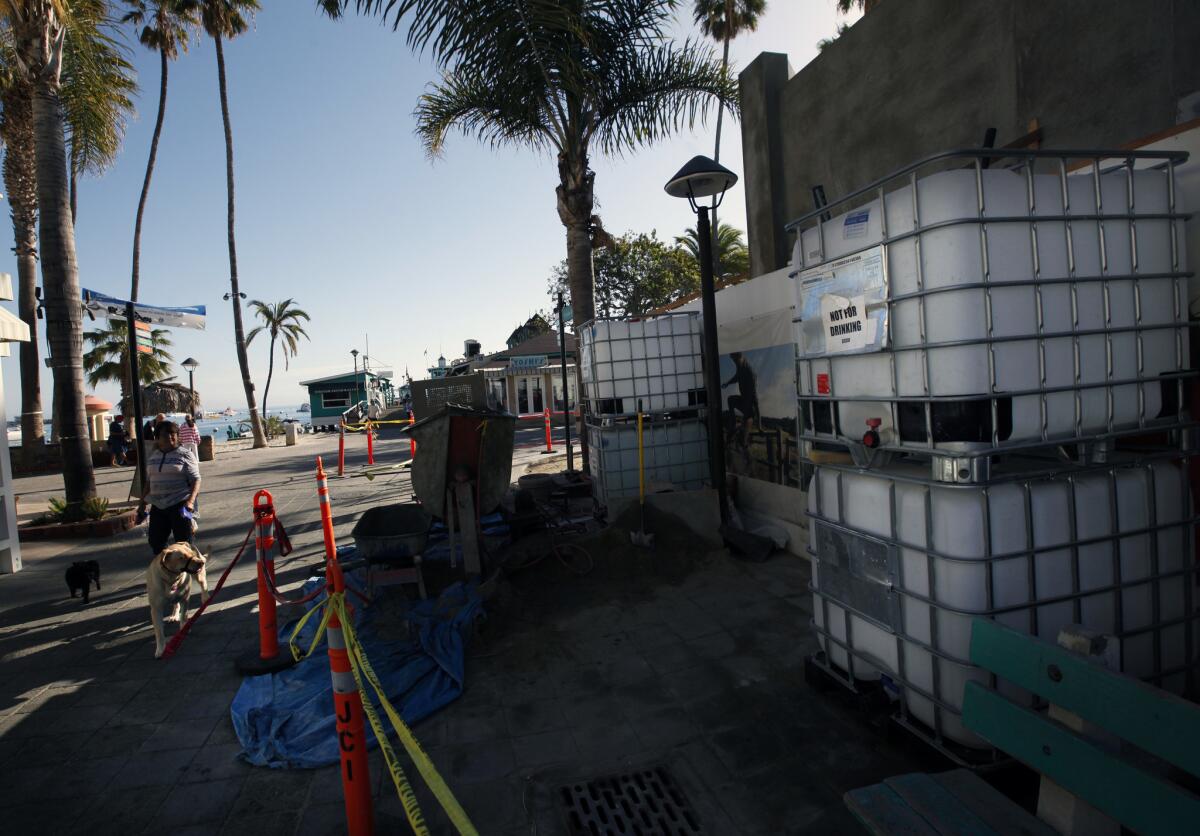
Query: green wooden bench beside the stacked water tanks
{"points": [[1082, 751]]}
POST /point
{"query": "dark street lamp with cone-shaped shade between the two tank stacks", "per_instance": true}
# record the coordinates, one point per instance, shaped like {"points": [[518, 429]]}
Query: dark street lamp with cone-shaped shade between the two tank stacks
{"points": [[704, 178]]}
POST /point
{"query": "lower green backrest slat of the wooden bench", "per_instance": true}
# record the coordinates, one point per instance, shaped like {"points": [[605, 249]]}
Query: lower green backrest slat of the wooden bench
{"points": [[1142, 802]]}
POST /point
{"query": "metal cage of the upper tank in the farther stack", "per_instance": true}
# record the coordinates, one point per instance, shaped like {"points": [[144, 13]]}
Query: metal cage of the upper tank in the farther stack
{"points": [[607, 407]]}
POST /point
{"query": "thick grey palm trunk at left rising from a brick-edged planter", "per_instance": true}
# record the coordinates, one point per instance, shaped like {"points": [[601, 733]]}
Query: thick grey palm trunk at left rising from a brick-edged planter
{"points": [[61, 281]]}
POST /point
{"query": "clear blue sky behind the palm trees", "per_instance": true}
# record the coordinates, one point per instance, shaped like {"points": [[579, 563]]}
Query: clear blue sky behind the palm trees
{"points": [[340, 209]]}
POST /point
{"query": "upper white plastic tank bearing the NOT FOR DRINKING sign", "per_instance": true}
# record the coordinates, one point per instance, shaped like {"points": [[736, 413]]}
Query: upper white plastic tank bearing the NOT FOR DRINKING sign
{"points": [[1028, 299]]}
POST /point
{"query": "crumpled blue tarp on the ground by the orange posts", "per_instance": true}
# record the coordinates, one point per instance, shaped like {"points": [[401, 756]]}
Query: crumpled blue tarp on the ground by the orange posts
{"points": [[287, 719]]}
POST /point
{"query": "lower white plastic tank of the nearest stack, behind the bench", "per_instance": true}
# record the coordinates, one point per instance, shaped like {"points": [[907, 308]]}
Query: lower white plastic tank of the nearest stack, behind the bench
{"points": [[903, 567]]}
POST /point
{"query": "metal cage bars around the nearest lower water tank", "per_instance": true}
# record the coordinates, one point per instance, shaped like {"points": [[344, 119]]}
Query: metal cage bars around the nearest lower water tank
{"points": [[934, 736]]}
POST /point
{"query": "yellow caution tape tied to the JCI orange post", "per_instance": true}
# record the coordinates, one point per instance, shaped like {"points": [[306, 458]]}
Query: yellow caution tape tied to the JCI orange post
{"points": [[361, 666]]}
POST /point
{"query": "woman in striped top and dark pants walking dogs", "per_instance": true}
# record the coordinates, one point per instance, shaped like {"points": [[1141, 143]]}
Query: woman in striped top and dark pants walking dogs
{"points": [[173, 483]]}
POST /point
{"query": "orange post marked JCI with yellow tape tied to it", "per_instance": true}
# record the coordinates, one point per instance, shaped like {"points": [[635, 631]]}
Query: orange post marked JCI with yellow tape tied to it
{"points": [[352, 741]]}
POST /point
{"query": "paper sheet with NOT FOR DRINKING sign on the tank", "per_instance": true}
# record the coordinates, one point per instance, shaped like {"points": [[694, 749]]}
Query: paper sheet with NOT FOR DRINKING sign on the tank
{"points": [[843, 305]]}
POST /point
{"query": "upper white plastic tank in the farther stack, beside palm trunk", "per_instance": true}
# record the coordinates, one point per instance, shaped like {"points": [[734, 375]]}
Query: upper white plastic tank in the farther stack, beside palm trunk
{"points": [[643, 365]]}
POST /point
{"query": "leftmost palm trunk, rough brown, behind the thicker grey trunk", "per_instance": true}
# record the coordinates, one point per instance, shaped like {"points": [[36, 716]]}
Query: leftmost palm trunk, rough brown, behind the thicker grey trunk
{"points": [[21, 184]]}
